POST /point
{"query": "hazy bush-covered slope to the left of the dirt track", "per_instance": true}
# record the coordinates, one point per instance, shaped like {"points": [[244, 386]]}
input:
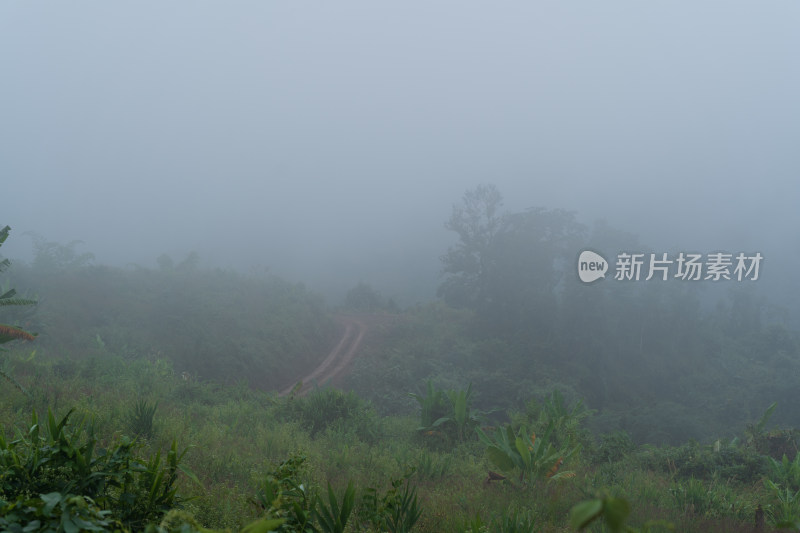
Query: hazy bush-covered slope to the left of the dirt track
{"points": [[212, 324]]}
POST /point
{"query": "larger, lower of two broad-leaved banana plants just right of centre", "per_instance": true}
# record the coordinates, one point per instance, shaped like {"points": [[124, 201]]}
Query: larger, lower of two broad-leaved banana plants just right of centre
{"points": [[534, 457]]}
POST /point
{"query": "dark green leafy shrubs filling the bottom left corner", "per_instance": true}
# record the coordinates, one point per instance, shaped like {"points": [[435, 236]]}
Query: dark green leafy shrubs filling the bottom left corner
{"points": [[58, 465]]}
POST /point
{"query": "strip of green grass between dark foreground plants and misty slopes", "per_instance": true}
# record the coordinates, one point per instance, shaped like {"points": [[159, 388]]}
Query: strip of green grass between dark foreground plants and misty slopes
{"points": [[238, 435]]}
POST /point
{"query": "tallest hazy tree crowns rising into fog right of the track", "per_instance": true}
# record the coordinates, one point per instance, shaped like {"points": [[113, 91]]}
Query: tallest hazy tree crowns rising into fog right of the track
{"points": [[508, 266]]}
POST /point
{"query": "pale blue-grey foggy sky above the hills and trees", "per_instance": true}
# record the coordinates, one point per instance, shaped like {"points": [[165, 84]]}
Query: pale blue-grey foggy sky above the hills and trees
{"points": [[328, 142]]}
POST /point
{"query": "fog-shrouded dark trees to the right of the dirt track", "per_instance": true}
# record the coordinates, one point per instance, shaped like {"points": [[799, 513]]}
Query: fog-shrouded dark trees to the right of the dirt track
{"points": [[645, 354]]}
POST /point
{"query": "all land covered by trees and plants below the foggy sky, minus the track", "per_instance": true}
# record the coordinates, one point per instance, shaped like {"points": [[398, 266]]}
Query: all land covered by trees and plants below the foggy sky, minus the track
{"points": [[516, 399]]}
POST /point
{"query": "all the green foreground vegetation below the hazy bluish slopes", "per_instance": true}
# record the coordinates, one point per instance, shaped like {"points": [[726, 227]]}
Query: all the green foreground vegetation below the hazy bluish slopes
{"points": [[255, 461]]}
